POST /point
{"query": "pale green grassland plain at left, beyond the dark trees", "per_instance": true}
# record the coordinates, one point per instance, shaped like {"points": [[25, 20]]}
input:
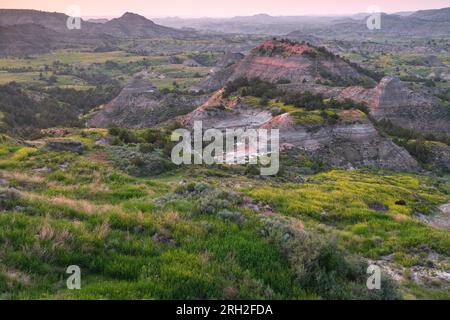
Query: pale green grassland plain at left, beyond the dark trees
{"points": [[80, 69]]}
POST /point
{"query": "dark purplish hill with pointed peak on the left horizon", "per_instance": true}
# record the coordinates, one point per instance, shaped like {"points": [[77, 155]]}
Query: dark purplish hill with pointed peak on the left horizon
{"points": [[25, 32]]}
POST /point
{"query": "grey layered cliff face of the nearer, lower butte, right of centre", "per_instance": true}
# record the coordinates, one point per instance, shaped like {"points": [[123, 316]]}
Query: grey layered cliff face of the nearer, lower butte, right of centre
{"points": [[345, 144]]}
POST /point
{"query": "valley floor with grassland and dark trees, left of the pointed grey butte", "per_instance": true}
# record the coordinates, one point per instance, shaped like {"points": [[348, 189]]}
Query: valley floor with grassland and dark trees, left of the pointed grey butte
{"points": [[57, 89]]}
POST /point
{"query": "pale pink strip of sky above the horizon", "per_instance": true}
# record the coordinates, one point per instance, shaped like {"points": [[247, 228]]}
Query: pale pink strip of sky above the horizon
{"points": [[221, 8]]}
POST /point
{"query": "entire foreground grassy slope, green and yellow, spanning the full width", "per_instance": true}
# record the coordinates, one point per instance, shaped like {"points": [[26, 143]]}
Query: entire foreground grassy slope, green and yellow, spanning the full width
{"points": [[222, 234]]}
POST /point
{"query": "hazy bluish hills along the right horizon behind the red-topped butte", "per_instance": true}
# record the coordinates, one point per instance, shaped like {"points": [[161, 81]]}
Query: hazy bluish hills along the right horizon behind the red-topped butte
{"points": [[422, 23]]}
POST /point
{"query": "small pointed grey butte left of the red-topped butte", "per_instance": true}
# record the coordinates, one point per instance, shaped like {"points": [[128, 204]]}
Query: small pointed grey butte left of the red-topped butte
{"points": [[141, 105]]}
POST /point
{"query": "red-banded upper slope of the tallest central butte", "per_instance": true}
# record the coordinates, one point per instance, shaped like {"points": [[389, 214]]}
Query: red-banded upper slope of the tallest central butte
{"points": [[289, 62]]}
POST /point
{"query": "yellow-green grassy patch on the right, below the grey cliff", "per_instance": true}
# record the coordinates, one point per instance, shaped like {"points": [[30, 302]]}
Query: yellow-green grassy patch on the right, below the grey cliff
{"points": [[342, 198]]}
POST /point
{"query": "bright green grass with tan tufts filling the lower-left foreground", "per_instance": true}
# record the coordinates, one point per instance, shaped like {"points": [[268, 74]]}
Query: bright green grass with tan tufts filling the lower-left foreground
{"points": [[102, 220]]}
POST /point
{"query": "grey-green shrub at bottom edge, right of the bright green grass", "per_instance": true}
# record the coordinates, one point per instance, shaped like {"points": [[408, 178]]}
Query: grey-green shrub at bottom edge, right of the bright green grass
{"points": [[321, 266]]}
